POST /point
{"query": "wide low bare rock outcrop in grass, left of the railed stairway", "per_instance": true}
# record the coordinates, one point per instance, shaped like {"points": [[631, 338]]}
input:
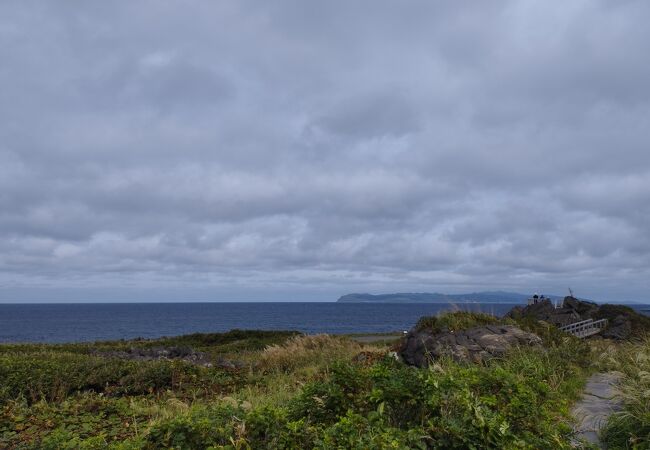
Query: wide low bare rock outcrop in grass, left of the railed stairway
{"points": [[473, 344]]}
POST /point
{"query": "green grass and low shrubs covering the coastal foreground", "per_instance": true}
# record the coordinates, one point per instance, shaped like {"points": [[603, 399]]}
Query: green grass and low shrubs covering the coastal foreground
{"points": [[254, 389]]}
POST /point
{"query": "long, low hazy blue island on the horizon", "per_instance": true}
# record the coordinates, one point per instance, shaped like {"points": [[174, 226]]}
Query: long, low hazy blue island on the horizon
{"points": [[426, 297]]}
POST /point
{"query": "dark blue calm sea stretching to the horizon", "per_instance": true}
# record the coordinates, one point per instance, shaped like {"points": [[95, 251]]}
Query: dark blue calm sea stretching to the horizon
{"points": [[91, 322]]}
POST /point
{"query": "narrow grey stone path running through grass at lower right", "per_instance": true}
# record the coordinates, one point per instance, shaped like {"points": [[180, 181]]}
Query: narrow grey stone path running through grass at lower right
{"points": [[599, 401]]}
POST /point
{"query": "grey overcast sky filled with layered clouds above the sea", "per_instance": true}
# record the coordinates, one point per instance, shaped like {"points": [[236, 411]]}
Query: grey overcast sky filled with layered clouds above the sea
{"points": [[295, 150]]}
